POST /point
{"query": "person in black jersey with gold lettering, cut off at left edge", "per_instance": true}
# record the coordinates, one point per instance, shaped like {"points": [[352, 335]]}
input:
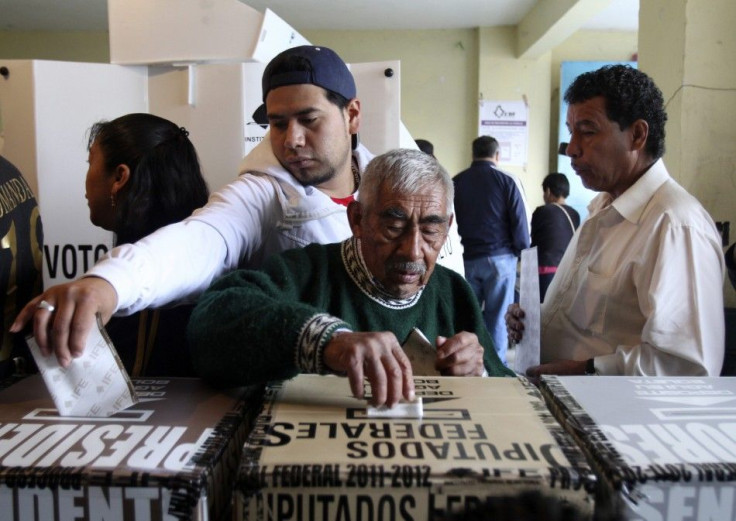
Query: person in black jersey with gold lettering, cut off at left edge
{"points": [[21, 254]]}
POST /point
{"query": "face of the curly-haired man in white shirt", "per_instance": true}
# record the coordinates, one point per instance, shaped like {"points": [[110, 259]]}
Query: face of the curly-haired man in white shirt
{"points": [[601, 153]]}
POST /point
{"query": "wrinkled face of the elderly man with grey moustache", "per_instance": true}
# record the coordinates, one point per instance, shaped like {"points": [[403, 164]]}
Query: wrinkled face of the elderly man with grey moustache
{"points": [[401, 236]]}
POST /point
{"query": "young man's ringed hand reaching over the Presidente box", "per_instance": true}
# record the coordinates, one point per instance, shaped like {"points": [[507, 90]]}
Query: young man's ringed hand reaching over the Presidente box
{"points": [[64, 330]]}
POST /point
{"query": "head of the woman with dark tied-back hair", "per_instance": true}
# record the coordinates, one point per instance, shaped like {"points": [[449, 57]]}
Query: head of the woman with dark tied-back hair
{"points": [[143, 174]]}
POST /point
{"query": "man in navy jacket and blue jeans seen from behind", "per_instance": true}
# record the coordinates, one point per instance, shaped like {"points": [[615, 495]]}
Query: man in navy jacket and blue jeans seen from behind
{"points": [[492, 222]]}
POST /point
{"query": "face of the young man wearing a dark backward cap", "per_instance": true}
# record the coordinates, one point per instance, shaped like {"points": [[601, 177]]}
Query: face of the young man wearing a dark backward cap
{"points": [[310, 136]]}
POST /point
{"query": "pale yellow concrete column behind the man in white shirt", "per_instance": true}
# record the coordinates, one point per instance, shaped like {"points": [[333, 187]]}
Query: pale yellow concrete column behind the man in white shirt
{"points": [[689, 48]]}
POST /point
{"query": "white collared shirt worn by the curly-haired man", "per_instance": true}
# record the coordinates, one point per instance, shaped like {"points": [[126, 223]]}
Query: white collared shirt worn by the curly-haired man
{"points": [[640, 285]]}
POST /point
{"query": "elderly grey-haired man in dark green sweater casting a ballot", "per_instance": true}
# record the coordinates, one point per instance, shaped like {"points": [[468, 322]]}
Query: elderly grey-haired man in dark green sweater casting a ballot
{"points": [[346, 308]]}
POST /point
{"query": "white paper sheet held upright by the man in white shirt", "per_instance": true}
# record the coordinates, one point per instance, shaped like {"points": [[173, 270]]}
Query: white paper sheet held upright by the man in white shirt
{"points": [[527, 351]]}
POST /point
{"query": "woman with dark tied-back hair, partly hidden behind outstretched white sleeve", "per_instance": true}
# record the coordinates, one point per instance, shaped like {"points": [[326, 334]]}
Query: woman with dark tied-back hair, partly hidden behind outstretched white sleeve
{"points": [[144, 174]]}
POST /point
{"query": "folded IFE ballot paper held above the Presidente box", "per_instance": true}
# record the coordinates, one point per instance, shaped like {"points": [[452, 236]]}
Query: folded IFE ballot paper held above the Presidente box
{"points": [[95, 384]]}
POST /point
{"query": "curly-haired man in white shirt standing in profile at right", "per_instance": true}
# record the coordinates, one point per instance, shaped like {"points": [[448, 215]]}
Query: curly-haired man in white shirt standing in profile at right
{"points": [[639, 289]]}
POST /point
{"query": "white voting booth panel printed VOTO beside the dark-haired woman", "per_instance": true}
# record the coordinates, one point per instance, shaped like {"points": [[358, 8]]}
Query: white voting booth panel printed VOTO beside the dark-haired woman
{"points": [[47, 111]]}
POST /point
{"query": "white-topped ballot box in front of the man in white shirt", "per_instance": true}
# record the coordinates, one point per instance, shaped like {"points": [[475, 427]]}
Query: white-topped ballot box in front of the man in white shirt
{"points": [[665, 447]]}
